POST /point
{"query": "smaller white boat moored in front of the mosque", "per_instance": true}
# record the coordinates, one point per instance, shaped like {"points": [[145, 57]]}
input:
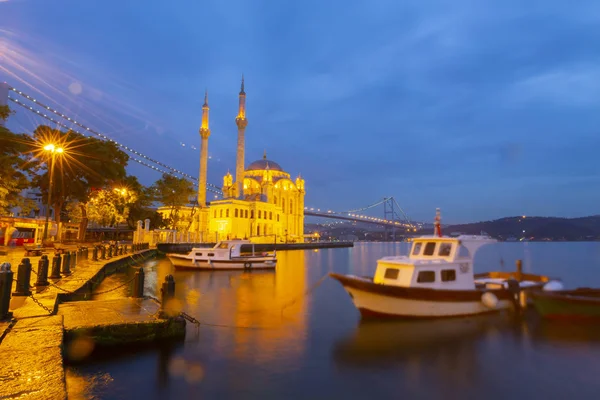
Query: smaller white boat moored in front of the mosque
{"points": [[225, 255]]}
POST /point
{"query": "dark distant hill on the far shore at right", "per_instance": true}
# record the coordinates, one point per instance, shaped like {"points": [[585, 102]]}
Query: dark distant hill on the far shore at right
{"points": [[536, 228]]}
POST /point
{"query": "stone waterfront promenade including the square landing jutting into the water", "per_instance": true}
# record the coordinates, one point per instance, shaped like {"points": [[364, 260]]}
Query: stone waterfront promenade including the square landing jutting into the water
{"points": [[42, 331]]}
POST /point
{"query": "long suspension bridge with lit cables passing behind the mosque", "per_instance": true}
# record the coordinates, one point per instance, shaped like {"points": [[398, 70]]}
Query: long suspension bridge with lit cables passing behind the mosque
{"points": [[394, 218]]}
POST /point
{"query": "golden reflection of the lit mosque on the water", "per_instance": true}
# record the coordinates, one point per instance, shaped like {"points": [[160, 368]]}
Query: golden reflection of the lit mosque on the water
{"points": [[268, 307]]}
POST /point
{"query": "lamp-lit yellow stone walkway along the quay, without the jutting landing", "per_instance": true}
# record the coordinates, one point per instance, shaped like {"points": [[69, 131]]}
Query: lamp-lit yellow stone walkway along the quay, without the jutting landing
{"points": [[32, 358]]}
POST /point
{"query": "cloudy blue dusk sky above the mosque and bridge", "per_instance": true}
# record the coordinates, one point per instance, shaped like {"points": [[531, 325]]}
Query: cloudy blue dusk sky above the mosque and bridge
{"points": [[484, 109]]}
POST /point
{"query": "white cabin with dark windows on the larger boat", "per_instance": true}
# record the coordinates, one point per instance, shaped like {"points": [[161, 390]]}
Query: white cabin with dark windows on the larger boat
{"points": [[433, 262]]}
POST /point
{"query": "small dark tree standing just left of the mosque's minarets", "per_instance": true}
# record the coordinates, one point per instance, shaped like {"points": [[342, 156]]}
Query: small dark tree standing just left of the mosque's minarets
{"points": [[174, 193]]}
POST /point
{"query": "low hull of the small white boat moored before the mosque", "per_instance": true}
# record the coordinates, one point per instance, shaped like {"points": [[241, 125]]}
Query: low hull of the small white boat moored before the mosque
{"points": [[243, 263]]}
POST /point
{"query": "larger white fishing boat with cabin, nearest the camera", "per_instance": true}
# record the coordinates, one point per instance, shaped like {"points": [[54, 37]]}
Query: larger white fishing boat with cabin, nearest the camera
{"points": [[436, 280]]}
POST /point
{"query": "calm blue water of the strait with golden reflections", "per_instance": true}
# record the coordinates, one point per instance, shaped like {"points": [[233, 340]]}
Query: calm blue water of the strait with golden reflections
{"points": [[276, 342]]}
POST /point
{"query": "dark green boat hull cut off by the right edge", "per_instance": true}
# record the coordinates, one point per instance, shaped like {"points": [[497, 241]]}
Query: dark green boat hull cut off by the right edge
{"points": [[568, 305]]}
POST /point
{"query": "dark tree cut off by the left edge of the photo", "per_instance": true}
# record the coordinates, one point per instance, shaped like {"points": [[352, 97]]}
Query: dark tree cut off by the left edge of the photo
{"points": [[15, 168]]}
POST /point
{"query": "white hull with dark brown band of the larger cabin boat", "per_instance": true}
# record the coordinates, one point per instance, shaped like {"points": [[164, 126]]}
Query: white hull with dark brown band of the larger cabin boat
{"points": [[385, 301]]}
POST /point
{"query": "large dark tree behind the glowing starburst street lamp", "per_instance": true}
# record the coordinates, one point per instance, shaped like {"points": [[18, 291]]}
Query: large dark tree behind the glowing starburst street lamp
{"points": [[86, 164]]}
